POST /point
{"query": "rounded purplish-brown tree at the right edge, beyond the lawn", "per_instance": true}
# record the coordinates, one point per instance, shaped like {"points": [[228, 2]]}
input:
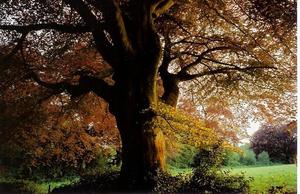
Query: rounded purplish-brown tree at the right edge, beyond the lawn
{"points": [[280, 142]]}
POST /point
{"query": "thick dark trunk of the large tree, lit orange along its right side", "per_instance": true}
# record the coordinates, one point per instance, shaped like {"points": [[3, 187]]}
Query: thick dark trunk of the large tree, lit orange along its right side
{"points": [[135, 97]]}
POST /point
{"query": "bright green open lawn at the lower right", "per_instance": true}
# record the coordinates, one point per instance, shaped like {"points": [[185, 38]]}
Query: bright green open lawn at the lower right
{"points": [[267, 176]]}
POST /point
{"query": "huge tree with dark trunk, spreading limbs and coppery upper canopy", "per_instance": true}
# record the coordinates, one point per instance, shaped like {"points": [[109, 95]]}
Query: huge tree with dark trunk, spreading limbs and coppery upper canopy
{"points": [[137, 42]]}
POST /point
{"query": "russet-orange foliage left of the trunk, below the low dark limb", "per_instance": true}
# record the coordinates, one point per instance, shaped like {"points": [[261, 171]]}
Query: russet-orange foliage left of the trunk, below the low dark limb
{"points": [[66, 137]]}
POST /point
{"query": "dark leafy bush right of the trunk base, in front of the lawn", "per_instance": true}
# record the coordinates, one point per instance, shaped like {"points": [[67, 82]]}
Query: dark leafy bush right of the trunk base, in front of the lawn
{"points": [[209, 177]]}
